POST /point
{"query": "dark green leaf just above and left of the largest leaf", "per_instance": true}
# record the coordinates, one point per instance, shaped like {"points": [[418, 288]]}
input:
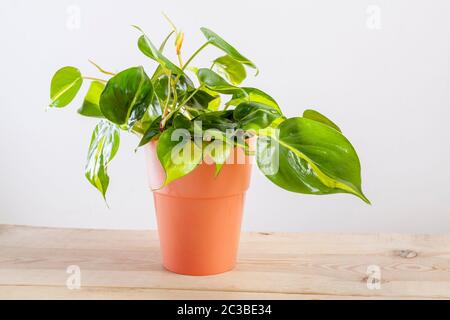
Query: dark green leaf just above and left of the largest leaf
{"points": [[255, 116]]}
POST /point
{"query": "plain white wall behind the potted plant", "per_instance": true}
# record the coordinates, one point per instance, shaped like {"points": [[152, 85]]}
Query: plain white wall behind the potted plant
{"points": [[387, 88]]}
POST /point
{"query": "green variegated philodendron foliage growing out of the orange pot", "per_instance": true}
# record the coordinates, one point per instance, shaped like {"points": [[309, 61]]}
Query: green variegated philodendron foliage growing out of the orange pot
{"points": [[305, 154]]}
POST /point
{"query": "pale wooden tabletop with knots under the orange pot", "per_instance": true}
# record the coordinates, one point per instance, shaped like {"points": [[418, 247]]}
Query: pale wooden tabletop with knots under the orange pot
{"points": [[127, 265]]}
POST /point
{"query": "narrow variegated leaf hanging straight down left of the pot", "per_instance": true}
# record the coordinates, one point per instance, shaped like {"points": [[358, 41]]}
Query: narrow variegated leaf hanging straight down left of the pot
{"points": [[102, 149]]}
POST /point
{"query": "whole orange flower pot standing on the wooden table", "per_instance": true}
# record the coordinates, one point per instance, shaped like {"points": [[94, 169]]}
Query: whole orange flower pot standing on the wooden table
{"points": [[199, 215]]}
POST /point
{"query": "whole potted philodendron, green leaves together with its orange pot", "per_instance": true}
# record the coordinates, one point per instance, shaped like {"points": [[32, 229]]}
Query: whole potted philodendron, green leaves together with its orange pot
{"points": [[200, 138]]}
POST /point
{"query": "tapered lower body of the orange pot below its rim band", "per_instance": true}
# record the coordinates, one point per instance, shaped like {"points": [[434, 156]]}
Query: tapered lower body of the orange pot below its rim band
{"points": [[199, 236]]}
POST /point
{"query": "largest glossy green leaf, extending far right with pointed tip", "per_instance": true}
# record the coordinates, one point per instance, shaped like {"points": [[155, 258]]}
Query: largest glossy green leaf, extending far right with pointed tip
{"points": [[306, 156]]}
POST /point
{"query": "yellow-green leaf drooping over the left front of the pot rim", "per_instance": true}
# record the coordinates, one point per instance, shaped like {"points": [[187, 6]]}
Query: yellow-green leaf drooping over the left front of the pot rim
{"points": [[178, 154]]}
